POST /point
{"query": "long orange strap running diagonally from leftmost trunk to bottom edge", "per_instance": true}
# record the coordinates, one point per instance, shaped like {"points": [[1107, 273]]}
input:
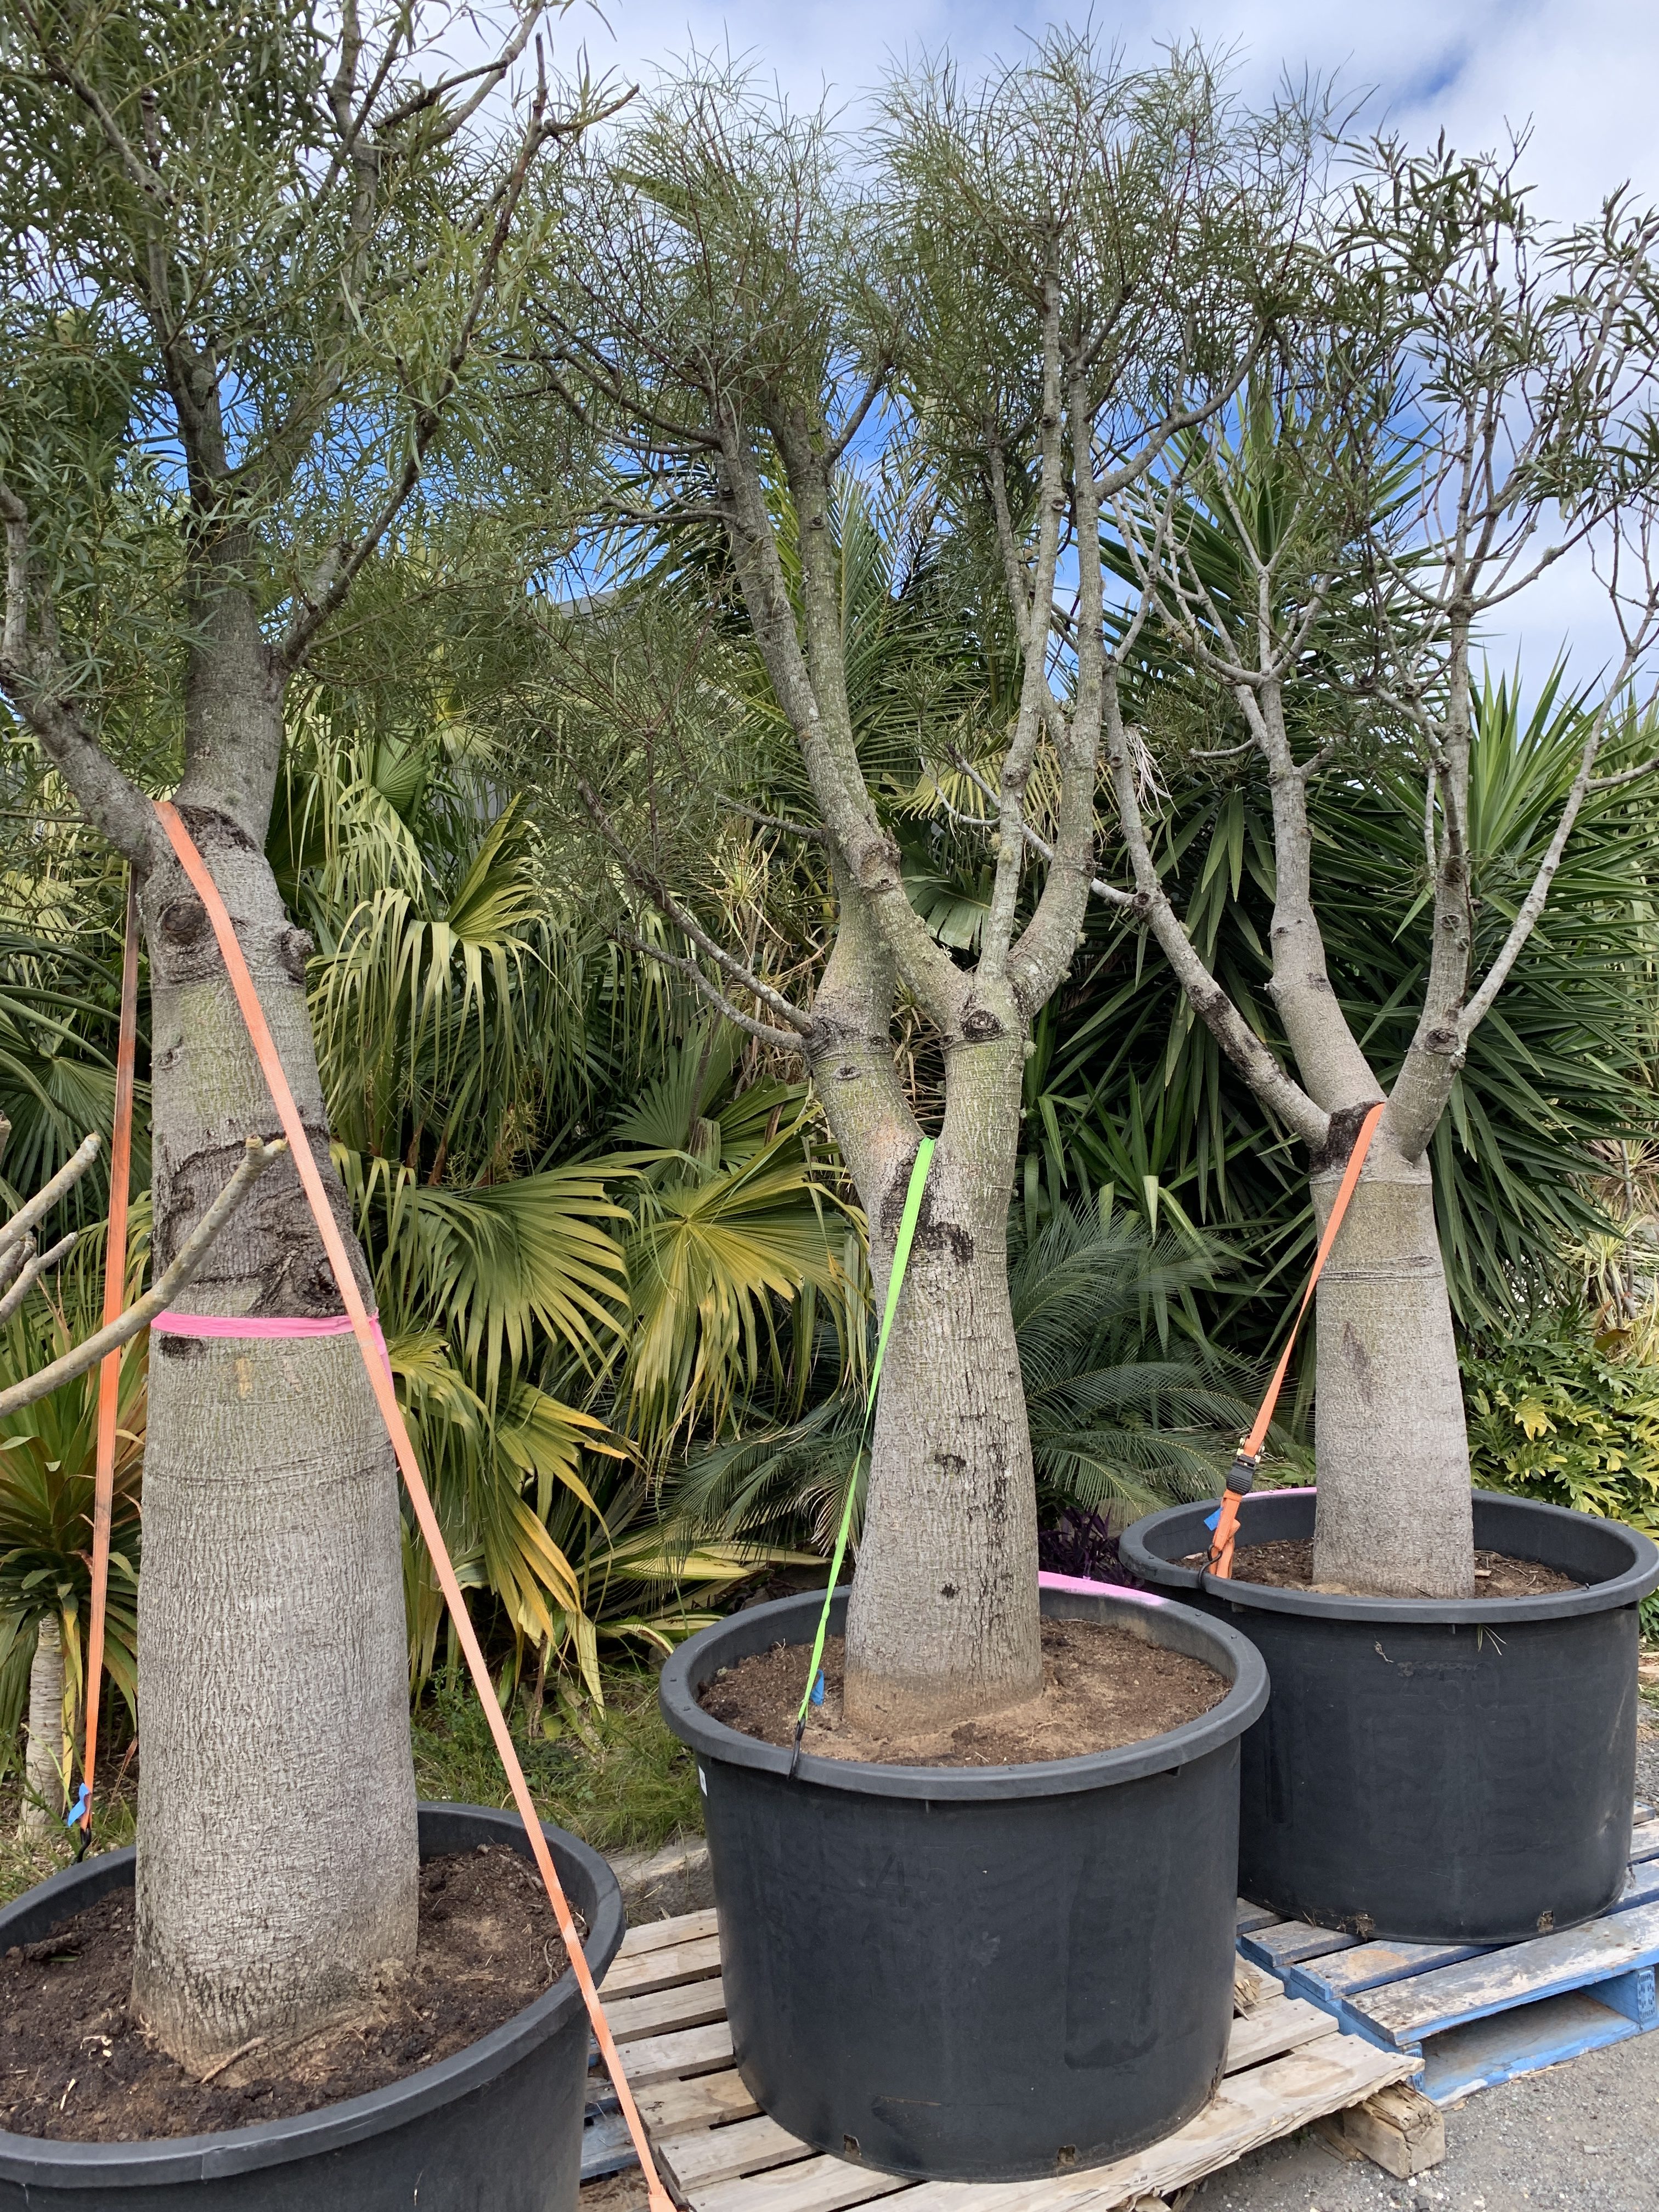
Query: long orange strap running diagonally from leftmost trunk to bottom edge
{"points": [[419, 1499]]}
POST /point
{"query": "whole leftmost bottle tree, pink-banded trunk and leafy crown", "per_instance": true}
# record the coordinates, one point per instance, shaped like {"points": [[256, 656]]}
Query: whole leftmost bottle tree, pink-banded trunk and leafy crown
{"points": [[255, 264]]}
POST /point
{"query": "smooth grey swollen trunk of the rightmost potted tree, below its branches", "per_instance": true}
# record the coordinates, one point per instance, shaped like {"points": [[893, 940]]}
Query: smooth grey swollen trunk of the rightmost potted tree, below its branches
{"points": [[1390, 1437]]}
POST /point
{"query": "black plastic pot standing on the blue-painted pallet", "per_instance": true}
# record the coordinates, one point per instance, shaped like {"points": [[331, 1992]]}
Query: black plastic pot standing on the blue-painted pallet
{"points": [[1434, 1771]]}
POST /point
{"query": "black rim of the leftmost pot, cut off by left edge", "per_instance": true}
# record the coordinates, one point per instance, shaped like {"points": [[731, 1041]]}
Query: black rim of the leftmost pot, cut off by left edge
{"points": [[43, 2162]]}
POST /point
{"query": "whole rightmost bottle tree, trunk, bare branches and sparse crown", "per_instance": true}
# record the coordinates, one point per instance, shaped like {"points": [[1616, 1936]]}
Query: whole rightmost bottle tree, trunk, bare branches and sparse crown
{"points": [[1472, 401]]}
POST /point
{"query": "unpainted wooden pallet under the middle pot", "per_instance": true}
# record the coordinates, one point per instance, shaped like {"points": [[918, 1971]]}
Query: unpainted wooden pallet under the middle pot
{"points": [[1288, 2065]]}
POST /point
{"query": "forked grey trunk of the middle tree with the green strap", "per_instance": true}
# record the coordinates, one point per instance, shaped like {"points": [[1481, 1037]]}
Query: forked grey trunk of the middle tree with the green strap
{"points": [[943, 1616]]}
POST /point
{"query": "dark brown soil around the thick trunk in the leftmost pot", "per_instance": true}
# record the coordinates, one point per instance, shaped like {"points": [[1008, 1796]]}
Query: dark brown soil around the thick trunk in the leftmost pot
{"points": [[76, 2067]]}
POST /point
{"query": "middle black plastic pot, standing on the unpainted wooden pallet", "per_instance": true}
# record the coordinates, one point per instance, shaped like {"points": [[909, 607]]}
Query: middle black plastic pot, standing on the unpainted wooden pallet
{"points": [[977, 1974]]}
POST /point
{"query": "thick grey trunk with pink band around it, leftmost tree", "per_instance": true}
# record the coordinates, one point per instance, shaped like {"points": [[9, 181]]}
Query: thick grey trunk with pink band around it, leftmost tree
{"points": [[278, 1819]]}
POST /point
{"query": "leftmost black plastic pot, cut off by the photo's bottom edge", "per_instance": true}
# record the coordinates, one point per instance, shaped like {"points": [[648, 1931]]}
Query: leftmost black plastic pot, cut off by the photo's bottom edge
{"points": [[492, 2129]]}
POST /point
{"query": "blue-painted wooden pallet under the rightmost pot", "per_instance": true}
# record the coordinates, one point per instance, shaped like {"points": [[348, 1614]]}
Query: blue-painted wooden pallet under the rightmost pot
{"points": [[1477, 2014]]}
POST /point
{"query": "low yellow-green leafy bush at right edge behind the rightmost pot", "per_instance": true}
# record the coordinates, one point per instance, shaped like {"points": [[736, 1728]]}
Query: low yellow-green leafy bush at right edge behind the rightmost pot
{"points": [[1552, 1417]]}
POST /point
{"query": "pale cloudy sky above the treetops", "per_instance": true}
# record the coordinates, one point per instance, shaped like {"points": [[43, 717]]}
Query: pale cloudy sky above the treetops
{"points": [[1583, 74]]}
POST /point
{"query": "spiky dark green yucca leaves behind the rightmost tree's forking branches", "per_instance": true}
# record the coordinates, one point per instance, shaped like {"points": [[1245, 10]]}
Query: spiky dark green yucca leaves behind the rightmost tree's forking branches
{"points": [[1129, 1089]]}
